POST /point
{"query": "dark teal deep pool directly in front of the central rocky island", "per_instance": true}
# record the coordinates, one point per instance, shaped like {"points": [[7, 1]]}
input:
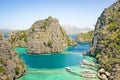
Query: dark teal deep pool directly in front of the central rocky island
{"points": [[51, 61]]}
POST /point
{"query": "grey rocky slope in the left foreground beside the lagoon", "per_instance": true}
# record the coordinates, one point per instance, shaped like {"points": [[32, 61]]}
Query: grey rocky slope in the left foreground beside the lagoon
{"points": [[11, 66]]}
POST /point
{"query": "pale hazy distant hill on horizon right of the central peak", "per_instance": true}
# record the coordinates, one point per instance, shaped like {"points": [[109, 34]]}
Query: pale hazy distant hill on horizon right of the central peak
{"points": [[71, 29]]}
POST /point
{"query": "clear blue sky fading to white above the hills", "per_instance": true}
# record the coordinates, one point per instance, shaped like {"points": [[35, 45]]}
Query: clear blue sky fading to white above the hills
{"points": [[21, 14]]}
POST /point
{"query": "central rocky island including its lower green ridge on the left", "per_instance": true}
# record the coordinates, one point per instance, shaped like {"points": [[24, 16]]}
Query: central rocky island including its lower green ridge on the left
{"points": [[45, 36]]}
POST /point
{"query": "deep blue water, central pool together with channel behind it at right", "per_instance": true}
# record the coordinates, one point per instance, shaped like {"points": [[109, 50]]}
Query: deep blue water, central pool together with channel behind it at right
{"points": [[55, 60]]}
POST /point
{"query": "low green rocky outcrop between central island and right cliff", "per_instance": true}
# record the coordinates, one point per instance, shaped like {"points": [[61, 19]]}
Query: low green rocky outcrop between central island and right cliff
{"points": [[84, 37]]}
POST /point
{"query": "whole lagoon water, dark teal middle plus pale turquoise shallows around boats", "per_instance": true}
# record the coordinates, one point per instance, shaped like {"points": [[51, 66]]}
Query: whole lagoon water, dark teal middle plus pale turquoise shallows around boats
{"points": [[52, 66]]}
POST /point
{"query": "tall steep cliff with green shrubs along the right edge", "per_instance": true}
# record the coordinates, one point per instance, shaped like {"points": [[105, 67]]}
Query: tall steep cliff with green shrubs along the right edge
{"points": [[106, 41]]}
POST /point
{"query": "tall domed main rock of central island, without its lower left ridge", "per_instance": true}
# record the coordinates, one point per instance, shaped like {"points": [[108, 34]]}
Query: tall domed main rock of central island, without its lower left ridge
{"points": [[46, 36]]}
